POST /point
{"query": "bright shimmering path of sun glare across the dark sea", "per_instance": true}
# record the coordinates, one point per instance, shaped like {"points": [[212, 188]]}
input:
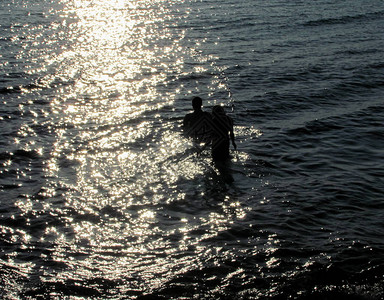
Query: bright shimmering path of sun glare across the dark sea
{"points": [[129, 188]]}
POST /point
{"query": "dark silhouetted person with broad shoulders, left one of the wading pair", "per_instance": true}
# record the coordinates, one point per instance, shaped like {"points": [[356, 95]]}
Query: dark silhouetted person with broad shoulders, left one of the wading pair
{"points": [[197, 124]]}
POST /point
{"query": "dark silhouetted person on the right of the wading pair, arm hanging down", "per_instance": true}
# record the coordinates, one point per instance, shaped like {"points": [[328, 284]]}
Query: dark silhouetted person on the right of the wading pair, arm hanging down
{"points": [[222, 132]]}
